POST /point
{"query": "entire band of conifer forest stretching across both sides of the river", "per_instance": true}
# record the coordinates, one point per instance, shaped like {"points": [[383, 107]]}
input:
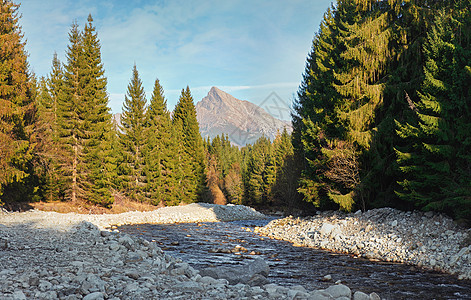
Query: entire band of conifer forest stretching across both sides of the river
{"points": [[382, 118]]}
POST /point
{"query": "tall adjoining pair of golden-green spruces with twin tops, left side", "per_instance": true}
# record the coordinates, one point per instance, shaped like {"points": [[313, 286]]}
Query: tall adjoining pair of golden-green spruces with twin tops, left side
{"points": [[84, 122]]}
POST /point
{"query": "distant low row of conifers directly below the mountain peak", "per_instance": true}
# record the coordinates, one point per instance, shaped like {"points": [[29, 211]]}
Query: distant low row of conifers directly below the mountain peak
{"points": [[263, 174]]}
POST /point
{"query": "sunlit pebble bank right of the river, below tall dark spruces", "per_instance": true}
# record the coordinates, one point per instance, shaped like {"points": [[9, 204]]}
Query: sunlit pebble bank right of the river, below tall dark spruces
{"points": [[427, 240]]}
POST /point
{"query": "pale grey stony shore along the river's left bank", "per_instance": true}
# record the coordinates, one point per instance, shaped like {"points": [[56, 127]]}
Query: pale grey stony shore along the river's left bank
{"points": [[45, 255]]}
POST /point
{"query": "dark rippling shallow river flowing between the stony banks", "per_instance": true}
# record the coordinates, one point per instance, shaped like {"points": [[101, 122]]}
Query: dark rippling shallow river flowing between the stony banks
{"points": [[205, 244]]}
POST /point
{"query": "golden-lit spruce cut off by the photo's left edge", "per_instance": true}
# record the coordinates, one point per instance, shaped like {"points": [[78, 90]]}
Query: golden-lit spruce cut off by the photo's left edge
{"points": [[17, 111]]}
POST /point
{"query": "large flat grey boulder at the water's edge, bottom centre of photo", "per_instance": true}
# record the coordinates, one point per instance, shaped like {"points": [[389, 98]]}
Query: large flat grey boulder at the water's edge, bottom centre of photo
{"points": [[239, 274]]}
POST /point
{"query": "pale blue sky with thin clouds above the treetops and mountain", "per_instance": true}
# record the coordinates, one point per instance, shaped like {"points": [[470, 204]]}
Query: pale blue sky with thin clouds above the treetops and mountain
{"points": [[246, 48]]}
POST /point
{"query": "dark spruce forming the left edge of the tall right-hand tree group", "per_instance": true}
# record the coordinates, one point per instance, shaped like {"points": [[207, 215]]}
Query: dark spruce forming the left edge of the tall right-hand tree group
{"points": [[315, 117]]}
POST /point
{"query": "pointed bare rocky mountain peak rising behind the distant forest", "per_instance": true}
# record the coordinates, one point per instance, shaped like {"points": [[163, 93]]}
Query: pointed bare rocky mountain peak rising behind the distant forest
{"points": [[244, 122]]}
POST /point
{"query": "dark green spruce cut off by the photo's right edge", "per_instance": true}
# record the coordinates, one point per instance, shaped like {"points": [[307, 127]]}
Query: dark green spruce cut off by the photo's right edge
{"points": [[436, 159]]}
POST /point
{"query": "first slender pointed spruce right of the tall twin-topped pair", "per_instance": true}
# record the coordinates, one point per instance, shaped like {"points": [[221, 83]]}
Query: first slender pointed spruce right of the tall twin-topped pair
{"points": [[133, 137]]}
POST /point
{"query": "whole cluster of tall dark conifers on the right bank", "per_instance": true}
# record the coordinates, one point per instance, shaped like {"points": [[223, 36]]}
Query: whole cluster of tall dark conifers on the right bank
{"points": [[364, 75]]}
